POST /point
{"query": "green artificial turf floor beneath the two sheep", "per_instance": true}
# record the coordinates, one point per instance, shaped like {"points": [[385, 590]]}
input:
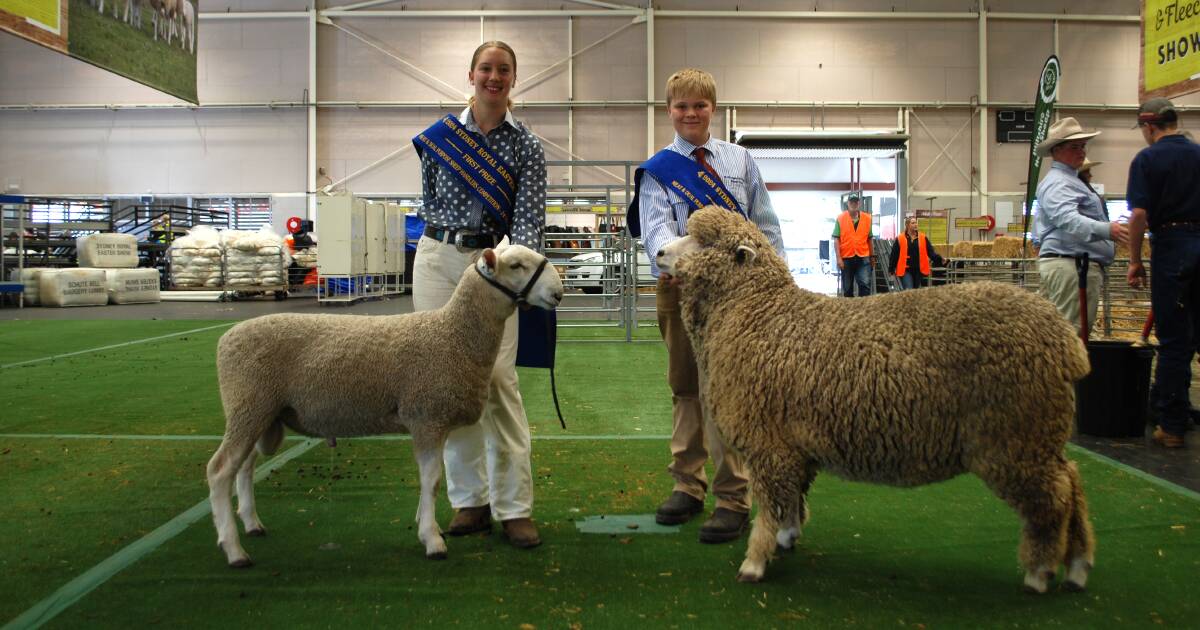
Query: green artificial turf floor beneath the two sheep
{"points": [[938, 556]]}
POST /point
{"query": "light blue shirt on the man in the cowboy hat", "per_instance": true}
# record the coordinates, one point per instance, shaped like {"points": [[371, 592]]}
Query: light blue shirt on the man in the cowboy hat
{"points": [[1071, 220]]}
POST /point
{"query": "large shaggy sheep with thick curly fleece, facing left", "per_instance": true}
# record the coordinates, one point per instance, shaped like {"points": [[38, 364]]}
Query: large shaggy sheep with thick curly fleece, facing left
{"points": [[903, 389]]}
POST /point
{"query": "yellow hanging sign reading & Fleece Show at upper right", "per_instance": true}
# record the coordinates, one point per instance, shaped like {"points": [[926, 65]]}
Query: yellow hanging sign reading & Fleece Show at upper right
{"points": [[1171, 49]]}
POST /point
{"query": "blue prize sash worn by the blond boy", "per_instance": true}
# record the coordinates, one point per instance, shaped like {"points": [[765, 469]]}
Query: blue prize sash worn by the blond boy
{"points": [[688, 179]]}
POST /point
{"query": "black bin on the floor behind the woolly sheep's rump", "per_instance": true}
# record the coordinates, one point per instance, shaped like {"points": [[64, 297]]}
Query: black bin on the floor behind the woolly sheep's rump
{"points": [[1113, 400]]}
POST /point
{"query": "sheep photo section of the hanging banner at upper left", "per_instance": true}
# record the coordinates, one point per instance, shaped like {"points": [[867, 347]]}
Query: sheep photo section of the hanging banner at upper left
{"points": [[149, 41]]}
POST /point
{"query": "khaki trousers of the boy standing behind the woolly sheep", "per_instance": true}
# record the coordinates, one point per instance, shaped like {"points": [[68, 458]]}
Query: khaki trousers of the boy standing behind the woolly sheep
{"points": [[694, 436]]}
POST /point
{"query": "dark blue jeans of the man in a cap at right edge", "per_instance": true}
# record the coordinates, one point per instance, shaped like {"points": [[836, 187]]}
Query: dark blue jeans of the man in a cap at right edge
{"points": [[1175, 298]]}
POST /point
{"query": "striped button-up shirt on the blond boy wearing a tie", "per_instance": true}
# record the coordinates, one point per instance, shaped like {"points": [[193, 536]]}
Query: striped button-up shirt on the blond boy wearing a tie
{"points": [[664, 213]]}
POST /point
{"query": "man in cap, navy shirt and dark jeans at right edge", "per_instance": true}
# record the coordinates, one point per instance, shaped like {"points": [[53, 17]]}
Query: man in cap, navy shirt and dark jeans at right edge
{"points": [[1165, 193]]}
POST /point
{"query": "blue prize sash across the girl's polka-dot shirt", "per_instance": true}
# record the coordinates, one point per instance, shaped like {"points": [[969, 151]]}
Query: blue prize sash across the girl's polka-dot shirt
{"points": [[466, 155]]}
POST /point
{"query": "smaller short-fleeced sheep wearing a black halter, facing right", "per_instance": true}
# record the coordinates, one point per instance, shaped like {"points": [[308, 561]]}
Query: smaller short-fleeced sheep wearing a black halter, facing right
{"points": [[424, 374]]}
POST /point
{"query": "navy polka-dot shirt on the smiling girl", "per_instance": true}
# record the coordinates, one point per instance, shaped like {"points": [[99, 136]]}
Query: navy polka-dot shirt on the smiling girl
{"points": [[449, 203]]}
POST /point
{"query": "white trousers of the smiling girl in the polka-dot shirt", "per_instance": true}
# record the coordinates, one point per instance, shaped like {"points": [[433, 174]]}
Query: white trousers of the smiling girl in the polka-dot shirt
{"points": [[488, 464]]}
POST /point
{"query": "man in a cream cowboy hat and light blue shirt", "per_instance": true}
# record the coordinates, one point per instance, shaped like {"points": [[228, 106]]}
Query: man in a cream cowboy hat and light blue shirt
{"points": [[1072, 224]]}
